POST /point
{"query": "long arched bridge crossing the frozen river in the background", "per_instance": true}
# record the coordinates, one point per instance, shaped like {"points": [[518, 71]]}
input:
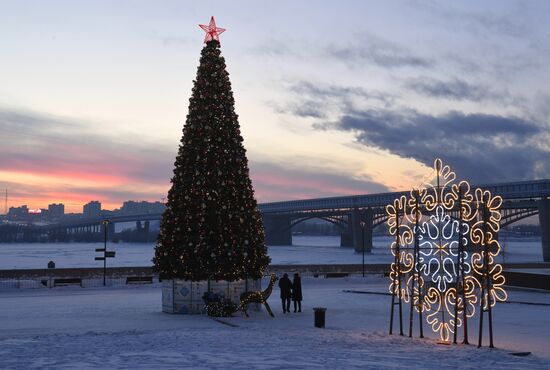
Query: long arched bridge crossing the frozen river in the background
{"points": [[358, 215]]}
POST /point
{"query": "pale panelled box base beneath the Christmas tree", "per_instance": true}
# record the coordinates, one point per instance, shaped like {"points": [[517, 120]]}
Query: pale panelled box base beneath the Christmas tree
{"points": [[185, 297]]}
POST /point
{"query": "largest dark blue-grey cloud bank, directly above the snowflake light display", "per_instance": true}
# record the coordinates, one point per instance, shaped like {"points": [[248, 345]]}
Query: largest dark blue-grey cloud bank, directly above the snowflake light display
{"points": [[481, 147]]}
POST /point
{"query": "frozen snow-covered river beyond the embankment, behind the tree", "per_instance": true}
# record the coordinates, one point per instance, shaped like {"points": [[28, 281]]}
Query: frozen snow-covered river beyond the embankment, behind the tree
{"points": [[306, 250]]}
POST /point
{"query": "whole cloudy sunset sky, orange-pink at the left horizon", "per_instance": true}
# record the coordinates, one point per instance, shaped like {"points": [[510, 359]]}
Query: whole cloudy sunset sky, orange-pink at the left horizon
{"points": [[333, 97]]}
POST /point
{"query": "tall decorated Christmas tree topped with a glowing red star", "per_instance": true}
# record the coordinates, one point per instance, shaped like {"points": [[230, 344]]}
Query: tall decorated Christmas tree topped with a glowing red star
{"points": [[211, 229]]}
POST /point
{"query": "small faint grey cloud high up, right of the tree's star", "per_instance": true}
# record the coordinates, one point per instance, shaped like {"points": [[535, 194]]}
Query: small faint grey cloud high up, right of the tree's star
{"points": [[371, 49]]}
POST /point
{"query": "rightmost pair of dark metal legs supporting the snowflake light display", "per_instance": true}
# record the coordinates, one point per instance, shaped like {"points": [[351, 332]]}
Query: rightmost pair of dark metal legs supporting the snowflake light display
{"points": [[486, 288]]}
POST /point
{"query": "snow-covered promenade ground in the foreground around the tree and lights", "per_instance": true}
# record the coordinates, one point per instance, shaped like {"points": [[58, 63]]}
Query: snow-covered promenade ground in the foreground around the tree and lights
{"points": [[124, 328]]}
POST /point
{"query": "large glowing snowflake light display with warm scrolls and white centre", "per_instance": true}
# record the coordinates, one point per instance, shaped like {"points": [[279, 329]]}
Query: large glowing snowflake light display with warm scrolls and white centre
{"points": [[444, 253]]}
